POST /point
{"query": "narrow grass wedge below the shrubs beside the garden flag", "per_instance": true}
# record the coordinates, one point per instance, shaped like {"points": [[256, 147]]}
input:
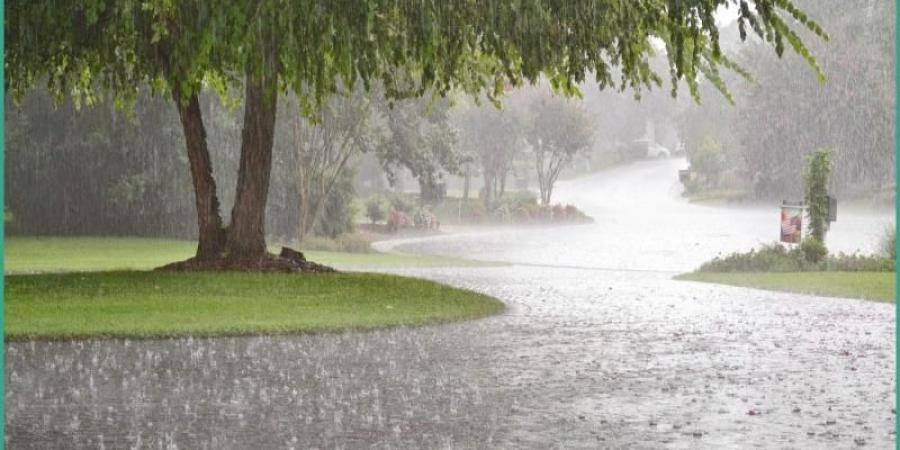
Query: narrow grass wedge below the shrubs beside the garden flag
{"points": [[879, 286]]}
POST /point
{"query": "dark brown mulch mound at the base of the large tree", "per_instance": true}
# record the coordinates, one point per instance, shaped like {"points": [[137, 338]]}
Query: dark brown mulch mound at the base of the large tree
{"points": [[289, 261]]}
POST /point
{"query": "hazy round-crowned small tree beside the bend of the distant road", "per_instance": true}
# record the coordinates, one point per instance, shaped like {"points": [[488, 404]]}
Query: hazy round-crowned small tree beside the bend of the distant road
{"points": [[556, 130]]}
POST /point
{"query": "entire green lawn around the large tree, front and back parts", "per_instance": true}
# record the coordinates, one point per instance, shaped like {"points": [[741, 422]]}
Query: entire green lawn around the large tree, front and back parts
{"points": [[61, 288]]}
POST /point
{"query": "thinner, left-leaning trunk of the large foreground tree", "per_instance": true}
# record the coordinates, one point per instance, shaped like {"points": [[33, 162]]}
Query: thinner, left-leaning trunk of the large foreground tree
{"points": [[209, 222]]}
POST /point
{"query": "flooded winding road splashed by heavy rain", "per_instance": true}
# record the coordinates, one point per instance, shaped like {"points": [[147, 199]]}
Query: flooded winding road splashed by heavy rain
{"points": [[598, 348]]}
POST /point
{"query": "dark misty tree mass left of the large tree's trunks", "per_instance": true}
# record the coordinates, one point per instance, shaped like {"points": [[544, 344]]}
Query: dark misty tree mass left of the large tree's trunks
{"points": [[97, 171]]}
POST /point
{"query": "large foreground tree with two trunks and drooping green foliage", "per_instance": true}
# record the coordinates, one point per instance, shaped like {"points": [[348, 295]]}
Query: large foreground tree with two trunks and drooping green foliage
{"points": [[267, 47]]}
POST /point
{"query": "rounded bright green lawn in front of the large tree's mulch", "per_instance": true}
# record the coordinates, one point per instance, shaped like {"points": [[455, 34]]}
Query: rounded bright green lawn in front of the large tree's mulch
{"points": [[153, 305]]}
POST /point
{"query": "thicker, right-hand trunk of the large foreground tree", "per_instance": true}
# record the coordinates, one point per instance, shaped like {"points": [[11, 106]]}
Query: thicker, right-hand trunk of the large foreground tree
{"points": [[246, 234]]}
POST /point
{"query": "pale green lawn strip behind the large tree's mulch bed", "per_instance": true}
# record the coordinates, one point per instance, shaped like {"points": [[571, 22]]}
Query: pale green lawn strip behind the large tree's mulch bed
{"points": [[57, 254]]}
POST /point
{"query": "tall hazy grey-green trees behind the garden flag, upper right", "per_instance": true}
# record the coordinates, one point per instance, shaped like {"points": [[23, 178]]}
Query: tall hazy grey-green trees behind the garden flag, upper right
{"points": [[775, 121]]}
